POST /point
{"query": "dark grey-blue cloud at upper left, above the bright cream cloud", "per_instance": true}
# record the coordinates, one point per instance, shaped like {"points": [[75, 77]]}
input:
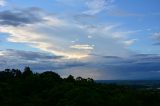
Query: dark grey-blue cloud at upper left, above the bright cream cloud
{"points": [[19, 17]]}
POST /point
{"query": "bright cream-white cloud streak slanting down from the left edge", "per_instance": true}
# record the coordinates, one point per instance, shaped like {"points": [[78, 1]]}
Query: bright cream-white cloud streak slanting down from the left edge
{"points": [[45, 42]]}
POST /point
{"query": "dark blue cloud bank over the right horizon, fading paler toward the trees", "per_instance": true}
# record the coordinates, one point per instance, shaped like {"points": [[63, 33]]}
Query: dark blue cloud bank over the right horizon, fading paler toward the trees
{"points": [[140, 66]]}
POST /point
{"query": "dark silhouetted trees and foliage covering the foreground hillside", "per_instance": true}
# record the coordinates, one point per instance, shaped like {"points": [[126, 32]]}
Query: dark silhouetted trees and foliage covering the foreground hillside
{"points": [[49, 89]]}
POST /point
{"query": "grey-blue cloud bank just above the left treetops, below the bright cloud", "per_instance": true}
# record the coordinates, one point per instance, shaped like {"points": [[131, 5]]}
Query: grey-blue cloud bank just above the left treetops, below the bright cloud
{"points": [[36, 60]]}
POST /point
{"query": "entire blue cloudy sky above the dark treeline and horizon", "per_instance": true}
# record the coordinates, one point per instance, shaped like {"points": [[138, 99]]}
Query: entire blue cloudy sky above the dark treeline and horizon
{"points": [[101, 39]]}
